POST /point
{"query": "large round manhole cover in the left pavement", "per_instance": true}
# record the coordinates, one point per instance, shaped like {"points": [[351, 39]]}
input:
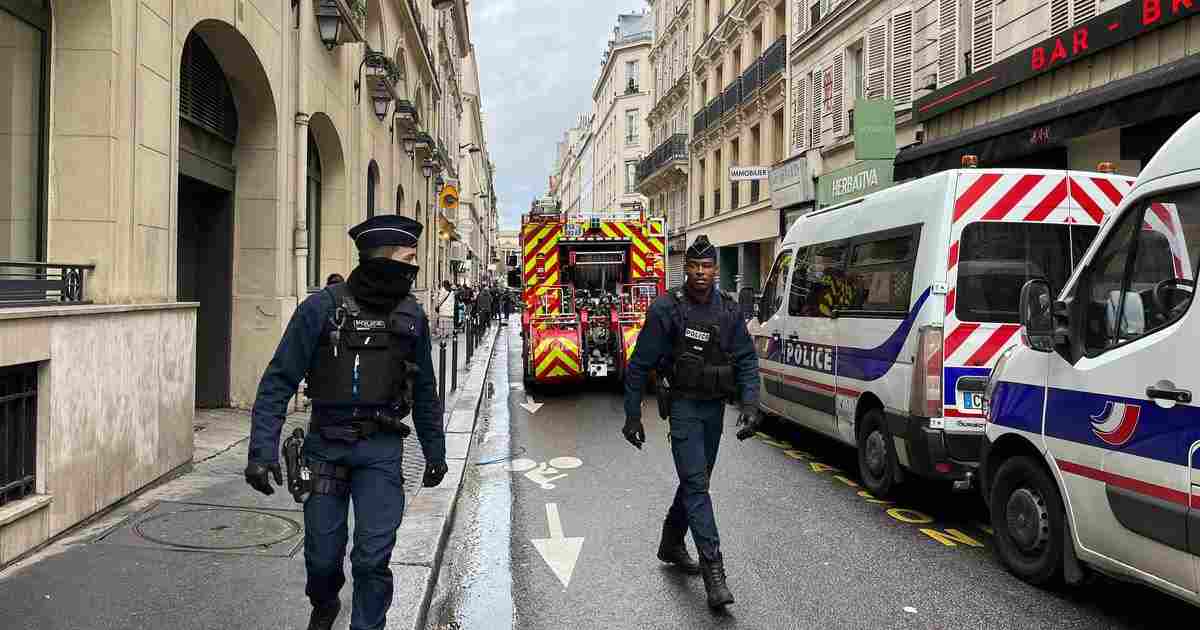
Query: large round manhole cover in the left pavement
{"points": [[218, 529]]}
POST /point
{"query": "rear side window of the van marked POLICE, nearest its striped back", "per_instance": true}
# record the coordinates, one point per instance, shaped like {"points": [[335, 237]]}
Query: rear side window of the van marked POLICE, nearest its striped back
{"points": [[880, 273]]}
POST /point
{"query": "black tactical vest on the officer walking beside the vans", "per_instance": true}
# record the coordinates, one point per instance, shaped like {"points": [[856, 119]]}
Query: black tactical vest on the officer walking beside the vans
{"points": [[703, 370]]}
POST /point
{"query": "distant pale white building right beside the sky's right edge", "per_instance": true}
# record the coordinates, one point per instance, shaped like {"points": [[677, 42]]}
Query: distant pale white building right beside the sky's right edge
{"points": [[620, 103]]}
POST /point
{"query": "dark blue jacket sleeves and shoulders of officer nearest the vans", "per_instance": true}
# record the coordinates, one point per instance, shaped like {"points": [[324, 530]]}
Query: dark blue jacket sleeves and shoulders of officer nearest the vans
{"points": [[656, 343]]}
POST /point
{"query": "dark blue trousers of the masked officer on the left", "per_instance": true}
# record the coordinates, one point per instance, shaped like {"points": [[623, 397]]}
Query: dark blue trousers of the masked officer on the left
{"points": [[377, 489]]}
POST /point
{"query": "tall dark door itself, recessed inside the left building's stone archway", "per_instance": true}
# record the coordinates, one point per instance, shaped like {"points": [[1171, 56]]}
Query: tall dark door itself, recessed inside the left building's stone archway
{"points": [[208, 135]]}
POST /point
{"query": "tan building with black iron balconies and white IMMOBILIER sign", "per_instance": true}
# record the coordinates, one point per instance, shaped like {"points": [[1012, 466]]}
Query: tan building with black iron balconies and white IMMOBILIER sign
{"points": [[739, 99]]}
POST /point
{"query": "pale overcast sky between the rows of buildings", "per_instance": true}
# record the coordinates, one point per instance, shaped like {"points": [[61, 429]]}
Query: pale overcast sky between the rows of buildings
{"points": [[538, 61]]}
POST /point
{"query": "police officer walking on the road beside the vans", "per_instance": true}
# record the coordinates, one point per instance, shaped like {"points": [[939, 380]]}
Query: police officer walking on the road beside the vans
{"points": [[698, 340]]}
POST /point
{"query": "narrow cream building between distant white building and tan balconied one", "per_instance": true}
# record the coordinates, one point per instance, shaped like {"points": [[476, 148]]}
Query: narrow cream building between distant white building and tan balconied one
{"points": [[663, 173]]}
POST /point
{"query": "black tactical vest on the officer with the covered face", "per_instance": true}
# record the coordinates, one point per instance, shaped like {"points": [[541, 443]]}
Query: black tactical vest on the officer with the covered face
{"points": [[367, 361]]}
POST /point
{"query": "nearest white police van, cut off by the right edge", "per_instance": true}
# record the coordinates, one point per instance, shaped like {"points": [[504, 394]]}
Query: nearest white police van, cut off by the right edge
{"points": [[1093, 453]]}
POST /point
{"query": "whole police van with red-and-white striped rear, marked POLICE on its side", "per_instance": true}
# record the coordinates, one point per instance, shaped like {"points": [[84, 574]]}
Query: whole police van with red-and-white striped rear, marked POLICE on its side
{"points": [[875, 309]]}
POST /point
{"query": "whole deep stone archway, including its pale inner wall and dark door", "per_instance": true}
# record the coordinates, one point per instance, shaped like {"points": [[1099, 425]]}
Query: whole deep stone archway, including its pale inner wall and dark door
{"points": [[229, 256]]}
